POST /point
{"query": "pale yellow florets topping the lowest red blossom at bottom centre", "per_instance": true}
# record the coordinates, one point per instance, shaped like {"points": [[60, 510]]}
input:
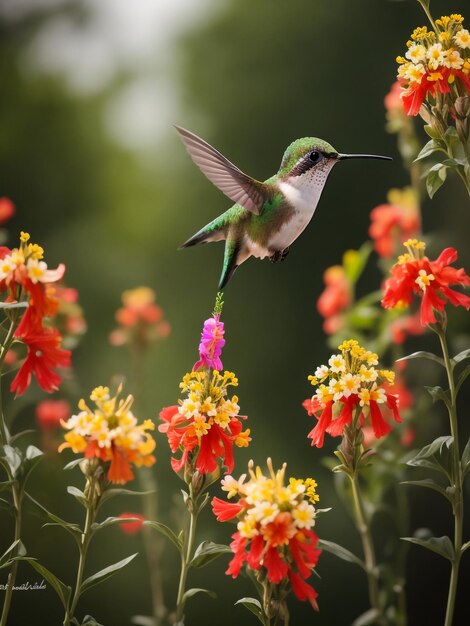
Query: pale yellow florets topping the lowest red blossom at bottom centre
{"points": [[269, 500]]}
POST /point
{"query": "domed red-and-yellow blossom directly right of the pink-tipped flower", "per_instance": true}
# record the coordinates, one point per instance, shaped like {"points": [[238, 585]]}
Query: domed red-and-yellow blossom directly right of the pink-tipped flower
{"points": [[350, 380]]}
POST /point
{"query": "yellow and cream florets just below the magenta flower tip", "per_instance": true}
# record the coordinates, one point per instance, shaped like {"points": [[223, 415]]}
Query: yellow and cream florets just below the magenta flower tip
{"points": [[207, 402]]}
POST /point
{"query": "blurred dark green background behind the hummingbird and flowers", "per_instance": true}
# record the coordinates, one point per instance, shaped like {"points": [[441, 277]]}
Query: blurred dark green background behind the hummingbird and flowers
{"points": [[100, 179]]}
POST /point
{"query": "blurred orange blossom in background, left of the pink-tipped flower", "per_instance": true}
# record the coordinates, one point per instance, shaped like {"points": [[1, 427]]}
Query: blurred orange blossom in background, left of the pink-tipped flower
{"points": [[140, 319]]}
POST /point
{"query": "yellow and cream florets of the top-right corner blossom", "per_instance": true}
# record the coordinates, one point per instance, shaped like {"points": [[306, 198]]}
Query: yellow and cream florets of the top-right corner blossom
{"points": [[431, 53]]}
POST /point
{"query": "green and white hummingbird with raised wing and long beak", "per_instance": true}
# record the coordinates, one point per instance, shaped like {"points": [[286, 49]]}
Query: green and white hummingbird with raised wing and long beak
{"points": [[268, 216]]}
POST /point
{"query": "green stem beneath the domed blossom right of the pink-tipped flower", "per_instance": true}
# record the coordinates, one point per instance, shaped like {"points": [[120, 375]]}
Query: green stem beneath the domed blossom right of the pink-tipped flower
{"points": [[368, 548]]}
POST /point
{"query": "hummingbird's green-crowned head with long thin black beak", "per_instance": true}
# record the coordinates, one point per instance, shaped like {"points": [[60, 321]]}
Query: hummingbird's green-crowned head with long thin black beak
{"points": [[310, 154]]}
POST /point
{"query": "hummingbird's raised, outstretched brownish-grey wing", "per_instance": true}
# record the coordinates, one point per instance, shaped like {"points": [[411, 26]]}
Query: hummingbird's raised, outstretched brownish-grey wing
{"points": [[242, 189]]}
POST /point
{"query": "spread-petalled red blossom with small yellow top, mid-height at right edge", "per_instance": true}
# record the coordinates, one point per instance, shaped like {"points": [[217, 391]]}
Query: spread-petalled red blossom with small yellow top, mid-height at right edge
{"points": [[415, 274]]}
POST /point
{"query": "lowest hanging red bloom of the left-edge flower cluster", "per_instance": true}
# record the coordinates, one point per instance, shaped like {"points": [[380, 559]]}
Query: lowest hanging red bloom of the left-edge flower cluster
{"points": [[44, 355]]}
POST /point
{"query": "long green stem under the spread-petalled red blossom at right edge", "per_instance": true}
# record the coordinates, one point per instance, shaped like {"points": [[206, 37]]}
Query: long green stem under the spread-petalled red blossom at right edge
{"points": [[457, 479]]}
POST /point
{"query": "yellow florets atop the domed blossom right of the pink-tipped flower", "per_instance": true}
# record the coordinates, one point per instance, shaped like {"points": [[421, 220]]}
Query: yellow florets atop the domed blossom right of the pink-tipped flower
{"points": [[351, 373]]}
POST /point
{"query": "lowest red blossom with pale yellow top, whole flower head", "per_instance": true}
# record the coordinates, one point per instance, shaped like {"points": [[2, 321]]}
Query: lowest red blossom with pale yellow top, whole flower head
{"points": [[274, 529]]}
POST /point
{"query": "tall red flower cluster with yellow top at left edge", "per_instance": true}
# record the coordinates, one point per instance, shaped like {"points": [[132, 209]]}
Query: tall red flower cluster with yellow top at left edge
{"points": [[24, 278]]}
